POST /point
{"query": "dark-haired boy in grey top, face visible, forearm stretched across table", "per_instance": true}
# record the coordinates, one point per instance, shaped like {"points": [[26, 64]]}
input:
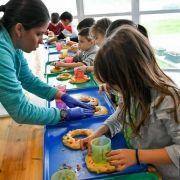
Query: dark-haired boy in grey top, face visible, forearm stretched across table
{"points": [[87, 54]]}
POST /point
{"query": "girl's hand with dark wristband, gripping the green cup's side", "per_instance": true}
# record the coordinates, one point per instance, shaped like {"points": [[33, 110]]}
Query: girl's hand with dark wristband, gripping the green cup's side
{"points": [[122, 158]]}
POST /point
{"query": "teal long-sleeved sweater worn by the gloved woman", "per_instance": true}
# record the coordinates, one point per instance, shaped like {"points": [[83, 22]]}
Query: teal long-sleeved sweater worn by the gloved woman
{"points": [[15, 76]]}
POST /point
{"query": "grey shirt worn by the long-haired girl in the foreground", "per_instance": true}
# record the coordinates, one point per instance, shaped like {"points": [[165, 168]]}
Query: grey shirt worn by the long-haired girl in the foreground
{"points": [[159, 131]]}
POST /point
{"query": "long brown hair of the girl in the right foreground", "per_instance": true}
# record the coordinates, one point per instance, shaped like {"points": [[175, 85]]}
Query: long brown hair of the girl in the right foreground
{"points": [[126, 60]]}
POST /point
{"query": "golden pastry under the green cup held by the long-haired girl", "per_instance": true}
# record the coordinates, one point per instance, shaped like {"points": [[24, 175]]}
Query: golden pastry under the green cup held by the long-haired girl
{"points": [[98, 167]]}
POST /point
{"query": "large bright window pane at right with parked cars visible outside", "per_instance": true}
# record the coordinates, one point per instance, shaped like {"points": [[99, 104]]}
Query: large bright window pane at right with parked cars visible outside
{"points": [[164, 34]]}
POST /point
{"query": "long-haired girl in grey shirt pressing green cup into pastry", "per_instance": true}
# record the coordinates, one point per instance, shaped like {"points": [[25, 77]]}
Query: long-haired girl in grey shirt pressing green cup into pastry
{"points": [[150, 115]]}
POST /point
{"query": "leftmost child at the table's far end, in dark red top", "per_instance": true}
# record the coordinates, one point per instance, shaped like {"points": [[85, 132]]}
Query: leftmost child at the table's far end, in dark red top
{"points": [[55, 26]]}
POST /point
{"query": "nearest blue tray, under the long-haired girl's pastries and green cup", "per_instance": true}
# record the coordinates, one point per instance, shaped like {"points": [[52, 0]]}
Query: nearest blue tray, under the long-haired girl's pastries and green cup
{"points": [[56, 154]]}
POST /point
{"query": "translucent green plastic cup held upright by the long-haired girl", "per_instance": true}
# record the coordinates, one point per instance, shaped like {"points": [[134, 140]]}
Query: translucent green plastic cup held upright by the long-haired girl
{"points": [[100, 147]]}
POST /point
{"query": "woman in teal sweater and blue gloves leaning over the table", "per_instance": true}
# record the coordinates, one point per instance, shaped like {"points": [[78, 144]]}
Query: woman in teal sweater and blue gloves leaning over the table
{"points": [[21, 29]]}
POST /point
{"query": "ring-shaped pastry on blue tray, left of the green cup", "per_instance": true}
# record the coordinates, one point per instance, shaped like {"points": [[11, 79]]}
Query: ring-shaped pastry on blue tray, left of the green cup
{"points": [[70, 141]]}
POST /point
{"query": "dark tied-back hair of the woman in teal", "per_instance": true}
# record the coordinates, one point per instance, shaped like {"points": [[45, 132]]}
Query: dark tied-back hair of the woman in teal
{"points": [[31, 13]]}
